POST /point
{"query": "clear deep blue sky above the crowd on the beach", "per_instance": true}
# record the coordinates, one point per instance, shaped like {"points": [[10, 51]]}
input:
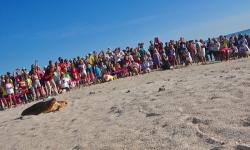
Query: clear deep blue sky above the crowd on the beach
{"points": [[47, 29]]}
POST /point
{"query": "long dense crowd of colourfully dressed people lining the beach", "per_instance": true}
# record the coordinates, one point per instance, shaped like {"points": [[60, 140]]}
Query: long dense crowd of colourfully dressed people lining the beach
{"points": [[63, 75]]}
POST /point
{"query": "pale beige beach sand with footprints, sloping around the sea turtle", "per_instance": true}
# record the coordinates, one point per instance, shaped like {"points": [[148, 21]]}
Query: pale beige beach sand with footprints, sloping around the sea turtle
{"points": [[198, 107]]}
